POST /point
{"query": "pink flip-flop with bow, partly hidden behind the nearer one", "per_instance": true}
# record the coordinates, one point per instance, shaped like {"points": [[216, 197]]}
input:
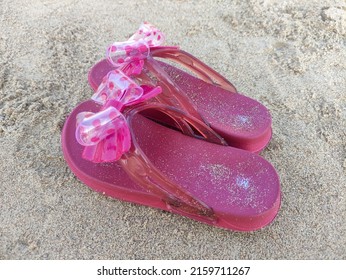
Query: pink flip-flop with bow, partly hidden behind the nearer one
{"points": [[243, 122]]}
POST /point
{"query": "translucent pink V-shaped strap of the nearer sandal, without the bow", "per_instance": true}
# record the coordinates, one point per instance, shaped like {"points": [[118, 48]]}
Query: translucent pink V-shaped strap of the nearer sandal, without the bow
{"points": [[143, 172]]}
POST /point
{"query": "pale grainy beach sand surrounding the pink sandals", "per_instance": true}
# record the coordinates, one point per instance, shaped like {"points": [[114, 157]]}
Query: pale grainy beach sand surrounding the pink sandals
{"points": [[289, 55]]}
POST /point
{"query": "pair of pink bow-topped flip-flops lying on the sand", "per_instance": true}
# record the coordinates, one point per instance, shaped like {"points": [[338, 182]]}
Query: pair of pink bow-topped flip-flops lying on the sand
{"points": [[156, 135]]}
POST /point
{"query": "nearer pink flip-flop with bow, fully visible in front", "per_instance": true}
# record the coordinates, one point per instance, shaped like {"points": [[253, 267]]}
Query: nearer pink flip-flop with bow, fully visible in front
{"points": [[118, 152]]}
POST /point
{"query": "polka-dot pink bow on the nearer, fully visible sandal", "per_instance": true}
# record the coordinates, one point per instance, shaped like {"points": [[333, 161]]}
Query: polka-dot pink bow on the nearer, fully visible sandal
{"points": [[105, 134]]}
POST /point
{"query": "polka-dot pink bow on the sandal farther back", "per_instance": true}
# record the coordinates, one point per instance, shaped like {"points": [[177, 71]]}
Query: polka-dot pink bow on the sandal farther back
{"points": [[129, 55]]}
